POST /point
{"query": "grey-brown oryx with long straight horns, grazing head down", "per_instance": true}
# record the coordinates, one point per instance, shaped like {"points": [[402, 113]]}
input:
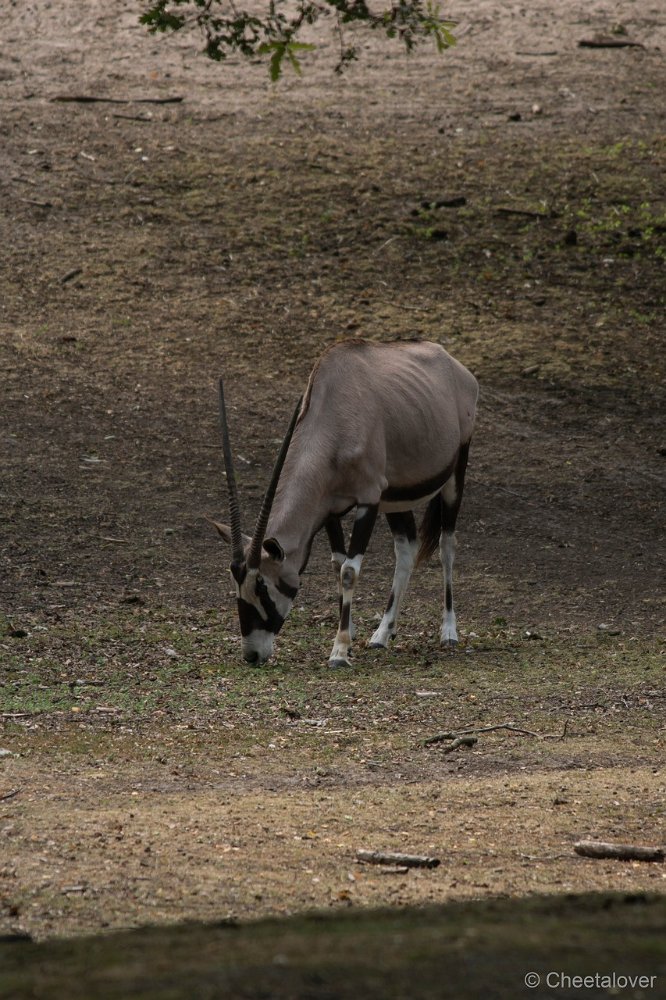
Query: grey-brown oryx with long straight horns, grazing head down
{"points": [[380, 428]]}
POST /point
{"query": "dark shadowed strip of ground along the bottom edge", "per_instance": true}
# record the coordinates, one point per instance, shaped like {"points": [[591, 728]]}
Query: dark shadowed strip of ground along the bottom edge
{"points": [[561, 946]]}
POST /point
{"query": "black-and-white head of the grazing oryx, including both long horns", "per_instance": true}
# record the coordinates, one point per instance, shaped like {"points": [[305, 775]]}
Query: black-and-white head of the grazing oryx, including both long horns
{"points": [[265, 585]]}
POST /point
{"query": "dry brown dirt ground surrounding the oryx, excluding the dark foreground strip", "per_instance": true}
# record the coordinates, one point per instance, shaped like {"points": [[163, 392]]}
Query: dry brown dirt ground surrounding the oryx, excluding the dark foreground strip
{"points": [[505, 199]]}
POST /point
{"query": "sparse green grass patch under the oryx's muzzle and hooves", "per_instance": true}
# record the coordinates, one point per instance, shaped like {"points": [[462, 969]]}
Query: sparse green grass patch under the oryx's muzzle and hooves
{"points": [[158, 667]]}
